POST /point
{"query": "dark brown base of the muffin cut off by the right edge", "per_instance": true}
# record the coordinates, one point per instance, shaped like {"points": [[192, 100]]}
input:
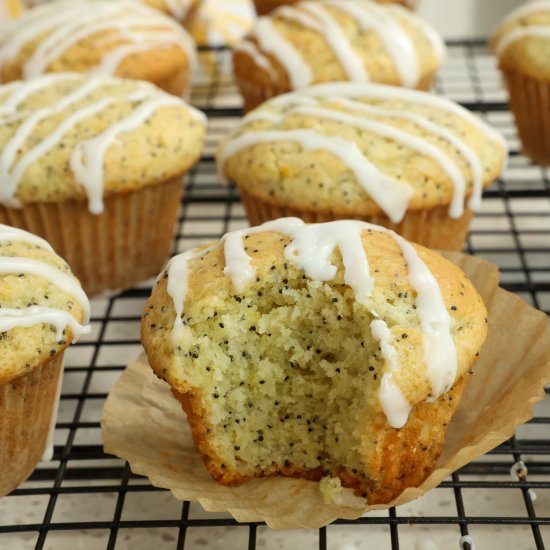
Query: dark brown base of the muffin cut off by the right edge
{"points": [[530, 103]]}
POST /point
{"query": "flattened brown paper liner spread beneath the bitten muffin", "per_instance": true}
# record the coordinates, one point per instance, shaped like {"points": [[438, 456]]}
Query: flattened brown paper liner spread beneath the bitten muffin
{"points": [[144, 424]]}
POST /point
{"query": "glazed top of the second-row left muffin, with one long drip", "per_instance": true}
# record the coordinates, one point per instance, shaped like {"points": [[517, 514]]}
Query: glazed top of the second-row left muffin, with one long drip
{"points": [[68, 136]]}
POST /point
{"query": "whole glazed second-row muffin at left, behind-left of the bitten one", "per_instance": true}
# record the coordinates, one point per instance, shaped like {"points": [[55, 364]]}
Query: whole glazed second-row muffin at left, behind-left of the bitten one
{"points": [[95, 166]]}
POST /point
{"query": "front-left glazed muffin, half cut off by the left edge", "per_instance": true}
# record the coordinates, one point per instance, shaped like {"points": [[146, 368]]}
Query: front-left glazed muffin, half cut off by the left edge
{"points": [[42, 310]]}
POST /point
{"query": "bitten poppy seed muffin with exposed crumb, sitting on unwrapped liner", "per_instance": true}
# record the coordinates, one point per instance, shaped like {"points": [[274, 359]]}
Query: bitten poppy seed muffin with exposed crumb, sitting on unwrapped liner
{"points": [[333, 350]]}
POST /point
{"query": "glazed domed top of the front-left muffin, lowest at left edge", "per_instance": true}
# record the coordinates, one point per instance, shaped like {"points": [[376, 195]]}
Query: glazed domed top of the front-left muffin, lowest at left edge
{"points": [[42, 305]]}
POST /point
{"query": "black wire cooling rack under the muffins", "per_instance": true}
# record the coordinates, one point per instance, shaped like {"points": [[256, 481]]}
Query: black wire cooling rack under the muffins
{"points": [[86, 499]]}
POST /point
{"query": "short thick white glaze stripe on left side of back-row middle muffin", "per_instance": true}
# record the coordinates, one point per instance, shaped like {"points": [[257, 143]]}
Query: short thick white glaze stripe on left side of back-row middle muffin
{"points": [[273, 42]]}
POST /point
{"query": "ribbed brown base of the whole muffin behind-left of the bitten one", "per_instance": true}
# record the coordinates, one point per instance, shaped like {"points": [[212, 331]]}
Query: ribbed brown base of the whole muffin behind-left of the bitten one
{"points": [[129, 242]]}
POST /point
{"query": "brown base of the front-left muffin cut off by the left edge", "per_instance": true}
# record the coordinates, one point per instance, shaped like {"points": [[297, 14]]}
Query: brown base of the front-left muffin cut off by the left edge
{"points": [[26, 410]]}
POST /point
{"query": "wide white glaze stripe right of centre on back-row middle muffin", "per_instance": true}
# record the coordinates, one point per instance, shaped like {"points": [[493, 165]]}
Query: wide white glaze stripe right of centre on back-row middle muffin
{"points": [[397, 42]]}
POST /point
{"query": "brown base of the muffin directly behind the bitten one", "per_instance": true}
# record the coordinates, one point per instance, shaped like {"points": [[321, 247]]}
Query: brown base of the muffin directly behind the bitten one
{"points": [[430, 228]]}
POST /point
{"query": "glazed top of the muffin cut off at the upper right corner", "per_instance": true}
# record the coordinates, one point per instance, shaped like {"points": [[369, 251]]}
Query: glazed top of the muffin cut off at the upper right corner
{"points": [[522, 41]]}
